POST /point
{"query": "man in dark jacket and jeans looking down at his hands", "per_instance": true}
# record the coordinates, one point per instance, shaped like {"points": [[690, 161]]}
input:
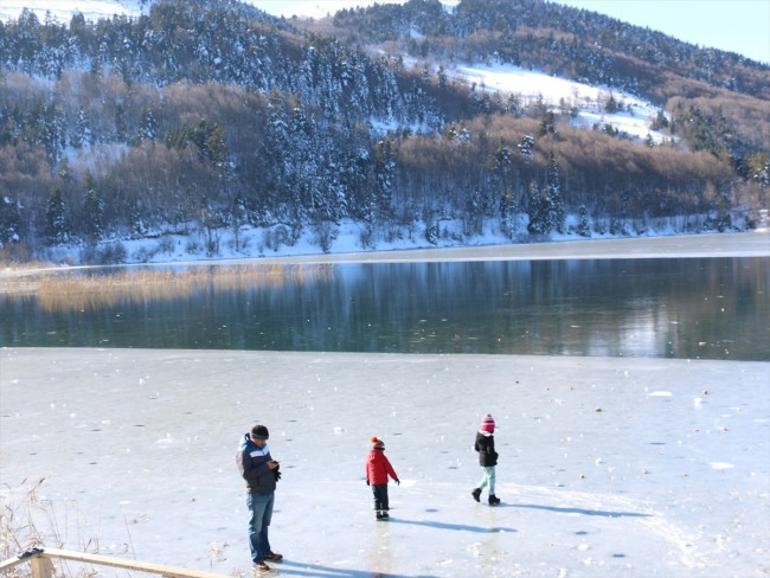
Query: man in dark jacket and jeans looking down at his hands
{"points": [[261, 473]]}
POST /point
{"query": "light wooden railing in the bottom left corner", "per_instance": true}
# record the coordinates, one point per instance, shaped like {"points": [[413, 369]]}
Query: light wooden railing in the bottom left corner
{"points": [[42, 566]]}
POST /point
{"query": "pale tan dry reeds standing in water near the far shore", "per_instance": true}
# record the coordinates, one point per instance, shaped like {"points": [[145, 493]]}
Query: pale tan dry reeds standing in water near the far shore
{"points": [[95, 291]]}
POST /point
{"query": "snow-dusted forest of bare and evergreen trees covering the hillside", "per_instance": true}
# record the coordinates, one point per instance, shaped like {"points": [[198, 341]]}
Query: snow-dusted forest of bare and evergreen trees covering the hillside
{"points": [[207, 114]]}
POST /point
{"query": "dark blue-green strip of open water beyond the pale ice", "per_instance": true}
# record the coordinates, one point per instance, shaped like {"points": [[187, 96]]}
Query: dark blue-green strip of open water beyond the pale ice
{"points": [[687, 308]]}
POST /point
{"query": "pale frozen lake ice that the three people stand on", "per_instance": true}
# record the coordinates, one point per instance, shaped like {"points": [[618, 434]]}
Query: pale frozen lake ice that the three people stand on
{"points": [[608, 467]]}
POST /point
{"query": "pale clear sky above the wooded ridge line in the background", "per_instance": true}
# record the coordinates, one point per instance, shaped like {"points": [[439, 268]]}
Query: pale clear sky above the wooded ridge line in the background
{"points": [[741, 26]]}
